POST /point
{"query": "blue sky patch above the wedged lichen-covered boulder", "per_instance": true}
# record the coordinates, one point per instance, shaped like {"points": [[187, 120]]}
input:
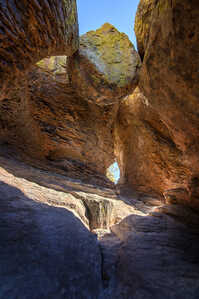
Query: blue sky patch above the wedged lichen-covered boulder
{"points": [[94, 13]]}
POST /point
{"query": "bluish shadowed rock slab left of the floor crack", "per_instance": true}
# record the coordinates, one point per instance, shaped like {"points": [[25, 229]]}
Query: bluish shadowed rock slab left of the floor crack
{"points": [[45, 251]]}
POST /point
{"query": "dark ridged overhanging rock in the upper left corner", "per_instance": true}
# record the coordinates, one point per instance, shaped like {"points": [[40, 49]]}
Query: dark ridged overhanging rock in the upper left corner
{"points": [[31, 31]]}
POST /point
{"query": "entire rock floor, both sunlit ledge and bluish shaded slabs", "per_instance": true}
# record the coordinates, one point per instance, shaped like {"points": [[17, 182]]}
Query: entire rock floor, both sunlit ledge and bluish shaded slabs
{"points": [[47, 248]]}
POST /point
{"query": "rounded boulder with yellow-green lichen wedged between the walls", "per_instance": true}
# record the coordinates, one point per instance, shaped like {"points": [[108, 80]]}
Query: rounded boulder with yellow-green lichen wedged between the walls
{"points": [[106, 67]]}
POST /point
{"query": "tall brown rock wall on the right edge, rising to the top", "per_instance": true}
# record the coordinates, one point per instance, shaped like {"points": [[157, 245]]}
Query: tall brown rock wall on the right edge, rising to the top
{"points": [[167, 35]]}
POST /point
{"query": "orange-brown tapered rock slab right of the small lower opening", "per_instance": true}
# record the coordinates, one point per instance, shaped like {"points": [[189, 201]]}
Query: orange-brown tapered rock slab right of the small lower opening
{"points": [[148, 158]]}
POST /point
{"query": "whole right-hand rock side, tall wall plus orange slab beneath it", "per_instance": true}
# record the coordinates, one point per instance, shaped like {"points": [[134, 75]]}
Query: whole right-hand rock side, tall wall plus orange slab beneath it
{"points": [[168, 129]]}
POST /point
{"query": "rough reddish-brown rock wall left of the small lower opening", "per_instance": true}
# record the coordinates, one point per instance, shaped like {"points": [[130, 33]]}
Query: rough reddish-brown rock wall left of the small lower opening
{"points": [[52, 126]]}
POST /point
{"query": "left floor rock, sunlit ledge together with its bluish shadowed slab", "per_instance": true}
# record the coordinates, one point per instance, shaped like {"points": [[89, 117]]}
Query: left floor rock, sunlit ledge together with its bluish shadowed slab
{"points": [[46, 247]]}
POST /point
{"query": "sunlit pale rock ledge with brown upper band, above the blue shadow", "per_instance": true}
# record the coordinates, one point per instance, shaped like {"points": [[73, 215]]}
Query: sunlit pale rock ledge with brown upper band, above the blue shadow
{"points": [[97, 207]]}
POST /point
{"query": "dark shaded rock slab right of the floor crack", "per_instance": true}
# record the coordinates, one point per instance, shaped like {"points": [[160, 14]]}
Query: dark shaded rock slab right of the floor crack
{"points": [[158, 258]]}
